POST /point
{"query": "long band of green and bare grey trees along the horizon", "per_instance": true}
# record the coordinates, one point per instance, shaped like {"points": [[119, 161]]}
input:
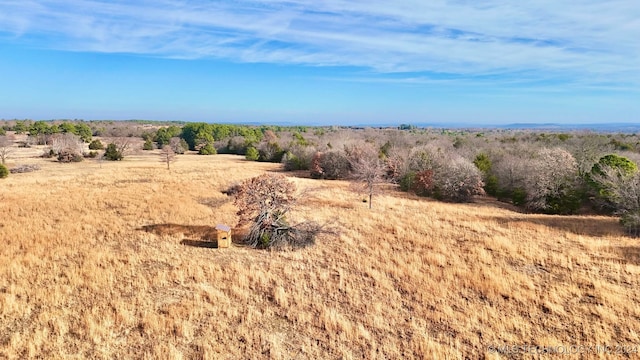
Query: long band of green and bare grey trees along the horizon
{"points": [[541, 171]]}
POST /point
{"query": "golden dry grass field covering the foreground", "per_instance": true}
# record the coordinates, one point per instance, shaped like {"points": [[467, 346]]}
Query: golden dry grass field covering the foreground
{"points": [[110, 260]]}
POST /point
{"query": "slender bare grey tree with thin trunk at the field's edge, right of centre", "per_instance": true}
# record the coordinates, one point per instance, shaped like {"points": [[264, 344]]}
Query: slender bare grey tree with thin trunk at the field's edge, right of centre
{"points": [[369, 171]]}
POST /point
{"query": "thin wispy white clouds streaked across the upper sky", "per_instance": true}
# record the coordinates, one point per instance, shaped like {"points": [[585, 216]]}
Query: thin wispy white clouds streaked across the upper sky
{"points": [[580, 41]]}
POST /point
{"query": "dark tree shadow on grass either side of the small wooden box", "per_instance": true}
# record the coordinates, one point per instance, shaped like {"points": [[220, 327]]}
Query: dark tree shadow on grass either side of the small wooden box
{"points": [[202, 236]]}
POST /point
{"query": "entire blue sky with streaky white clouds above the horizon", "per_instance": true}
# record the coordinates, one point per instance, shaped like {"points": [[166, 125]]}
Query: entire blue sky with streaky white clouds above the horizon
{"points": [[322, 61]]}
